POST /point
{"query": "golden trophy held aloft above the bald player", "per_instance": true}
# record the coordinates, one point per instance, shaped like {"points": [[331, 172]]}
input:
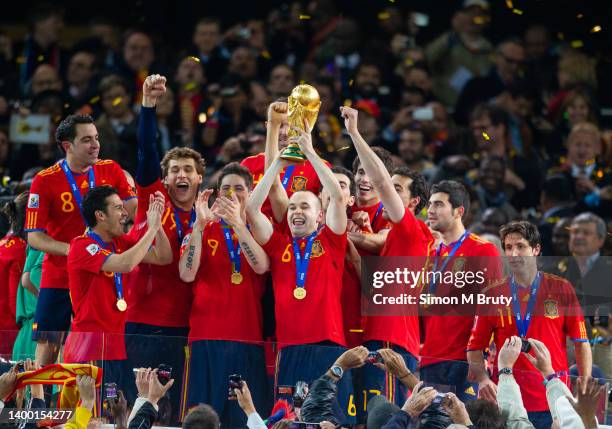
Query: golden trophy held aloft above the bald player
{"points": [[304, 103]]}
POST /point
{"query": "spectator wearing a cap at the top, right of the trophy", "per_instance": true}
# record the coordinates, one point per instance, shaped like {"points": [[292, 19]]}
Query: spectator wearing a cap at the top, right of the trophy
{"points": [[462, 53]]}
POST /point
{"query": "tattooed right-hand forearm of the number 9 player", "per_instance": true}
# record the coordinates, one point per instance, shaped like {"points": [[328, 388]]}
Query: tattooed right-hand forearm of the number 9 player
{"points": [[229, 210]]}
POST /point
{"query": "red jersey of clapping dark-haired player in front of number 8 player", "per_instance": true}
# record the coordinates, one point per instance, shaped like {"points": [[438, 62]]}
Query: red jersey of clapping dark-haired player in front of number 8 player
{"points": [[98, 326]]}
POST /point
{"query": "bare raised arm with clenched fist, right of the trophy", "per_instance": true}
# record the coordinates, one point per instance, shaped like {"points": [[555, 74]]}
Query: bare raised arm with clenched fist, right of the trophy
{"points": [[374, 167]]}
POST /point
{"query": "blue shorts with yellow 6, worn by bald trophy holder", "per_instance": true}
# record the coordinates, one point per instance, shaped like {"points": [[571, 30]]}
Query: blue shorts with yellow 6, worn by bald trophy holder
{"points": [[308, 363]]}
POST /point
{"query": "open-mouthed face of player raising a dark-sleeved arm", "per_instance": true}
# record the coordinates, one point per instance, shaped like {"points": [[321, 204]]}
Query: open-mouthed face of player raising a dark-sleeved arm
{"points": [[182, 180]]}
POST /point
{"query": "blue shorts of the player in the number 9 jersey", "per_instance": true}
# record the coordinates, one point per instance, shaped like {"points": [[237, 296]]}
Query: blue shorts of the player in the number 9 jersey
{"points": [[211, 362]]}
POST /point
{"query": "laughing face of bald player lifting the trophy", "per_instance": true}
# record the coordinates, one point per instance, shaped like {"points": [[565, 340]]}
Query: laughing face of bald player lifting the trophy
{"points": [[304, 213]]}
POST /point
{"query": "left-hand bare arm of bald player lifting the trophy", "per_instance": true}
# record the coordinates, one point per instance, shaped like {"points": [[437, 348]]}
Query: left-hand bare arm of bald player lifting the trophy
{"points": [[261, 227]]}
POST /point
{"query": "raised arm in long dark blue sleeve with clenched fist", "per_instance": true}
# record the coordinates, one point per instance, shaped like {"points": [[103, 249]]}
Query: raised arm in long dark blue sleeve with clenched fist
{"points": [[148, 169]]}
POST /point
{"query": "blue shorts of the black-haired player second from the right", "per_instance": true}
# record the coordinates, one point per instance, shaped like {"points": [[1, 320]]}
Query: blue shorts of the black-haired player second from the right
{"points": [[450, 376]]}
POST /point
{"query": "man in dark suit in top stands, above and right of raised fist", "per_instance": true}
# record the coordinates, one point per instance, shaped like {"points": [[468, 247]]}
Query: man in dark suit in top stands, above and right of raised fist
{"points": [[208, 48]]}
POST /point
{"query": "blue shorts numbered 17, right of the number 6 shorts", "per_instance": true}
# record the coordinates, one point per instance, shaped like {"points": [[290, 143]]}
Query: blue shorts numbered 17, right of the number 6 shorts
{"points": [[369, 381]]}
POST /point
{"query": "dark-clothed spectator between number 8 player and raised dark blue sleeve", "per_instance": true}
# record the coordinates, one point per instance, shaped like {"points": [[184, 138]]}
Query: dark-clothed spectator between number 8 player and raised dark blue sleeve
{"points": [[117, 126]]}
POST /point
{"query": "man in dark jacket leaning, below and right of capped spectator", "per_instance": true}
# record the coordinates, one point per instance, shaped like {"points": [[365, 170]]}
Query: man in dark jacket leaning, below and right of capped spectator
{"points": [[509, 58]]}
